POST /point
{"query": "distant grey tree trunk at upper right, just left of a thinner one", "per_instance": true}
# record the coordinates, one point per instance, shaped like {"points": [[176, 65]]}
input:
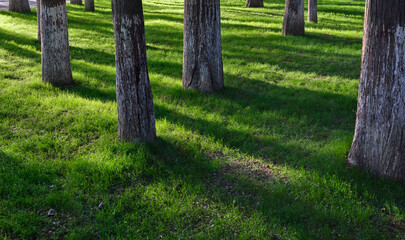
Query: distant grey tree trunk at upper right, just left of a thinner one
{"points": [[294, 20]]}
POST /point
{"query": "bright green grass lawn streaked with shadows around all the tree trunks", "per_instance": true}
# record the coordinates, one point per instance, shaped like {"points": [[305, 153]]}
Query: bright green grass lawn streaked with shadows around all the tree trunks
{"points": [[262, 159]]}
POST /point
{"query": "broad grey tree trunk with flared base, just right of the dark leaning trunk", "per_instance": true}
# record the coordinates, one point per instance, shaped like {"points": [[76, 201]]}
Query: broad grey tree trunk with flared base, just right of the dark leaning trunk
{"points": [[202, 54]]}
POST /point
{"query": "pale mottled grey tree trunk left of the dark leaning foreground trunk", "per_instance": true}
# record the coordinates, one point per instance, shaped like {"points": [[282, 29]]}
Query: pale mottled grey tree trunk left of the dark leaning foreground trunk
{"points": [[55, 43]]}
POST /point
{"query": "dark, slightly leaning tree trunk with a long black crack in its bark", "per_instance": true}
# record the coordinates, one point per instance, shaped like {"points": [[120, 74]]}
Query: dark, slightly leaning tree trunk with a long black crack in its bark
{"points": [[136, 117]]}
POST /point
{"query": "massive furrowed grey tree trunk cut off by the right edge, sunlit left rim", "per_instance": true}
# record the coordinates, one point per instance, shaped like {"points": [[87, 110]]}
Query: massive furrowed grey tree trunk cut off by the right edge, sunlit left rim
{"points": [[379, 139]]}
